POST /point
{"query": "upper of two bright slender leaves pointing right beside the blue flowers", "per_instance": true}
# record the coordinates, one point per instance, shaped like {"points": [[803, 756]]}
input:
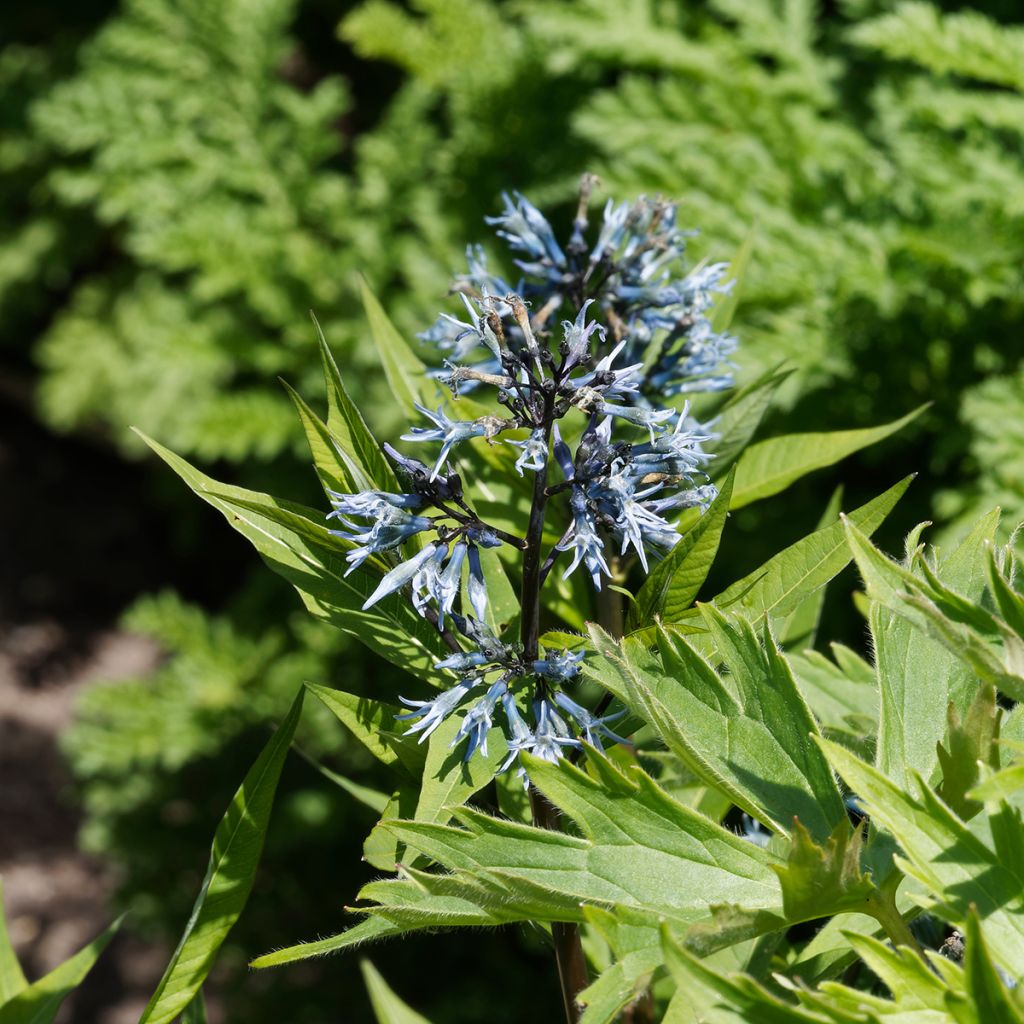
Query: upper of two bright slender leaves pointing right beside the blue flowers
{"points": [[771, 466]]}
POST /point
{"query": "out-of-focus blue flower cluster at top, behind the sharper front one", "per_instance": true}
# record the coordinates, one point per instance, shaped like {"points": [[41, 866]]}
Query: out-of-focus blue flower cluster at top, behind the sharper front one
{"points": [[659, 314]]}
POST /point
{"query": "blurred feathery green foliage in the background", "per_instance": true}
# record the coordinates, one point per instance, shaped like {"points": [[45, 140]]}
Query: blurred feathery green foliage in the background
{"points": [[181, 183]]}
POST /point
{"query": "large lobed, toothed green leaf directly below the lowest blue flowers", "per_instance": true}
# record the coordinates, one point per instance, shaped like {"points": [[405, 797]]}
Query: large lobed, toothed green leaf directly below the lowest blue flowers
{"points": [[638, 847]]}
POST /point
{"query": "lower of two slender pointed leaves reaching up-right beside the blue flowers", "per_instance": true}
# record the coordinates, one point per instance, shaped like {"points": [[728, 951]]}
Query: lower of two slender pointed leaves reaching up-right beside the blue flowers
{"points": [[786, 580]]}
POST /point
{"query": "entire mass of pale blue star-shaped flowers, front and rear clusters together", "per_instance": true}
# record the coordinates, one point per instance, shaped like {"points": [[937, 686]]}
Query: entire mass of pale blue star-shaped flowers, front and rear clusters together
{"points": [[636, 333]]}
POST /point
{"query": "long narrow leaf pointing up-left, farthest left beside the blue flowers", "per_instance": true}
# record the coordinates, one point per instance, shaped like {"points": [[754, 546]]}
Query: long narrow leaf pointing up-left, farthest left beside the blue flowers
{"points": [[296, 544]]}
